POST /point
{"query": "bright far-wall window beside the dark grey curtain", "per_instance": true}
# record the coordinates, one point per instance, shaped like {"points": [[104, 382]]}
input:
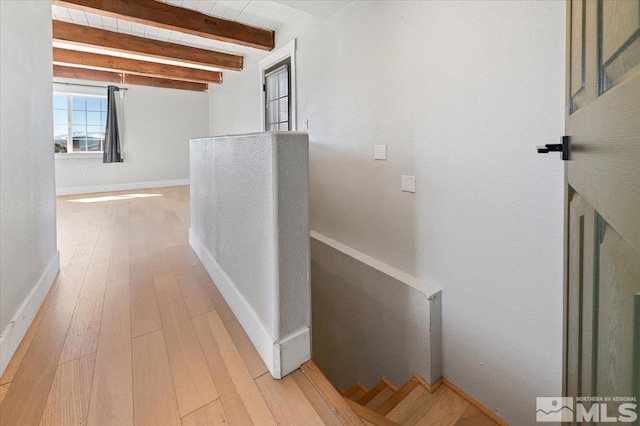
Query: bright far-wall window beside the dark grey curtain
{"points": [[79, 122]]}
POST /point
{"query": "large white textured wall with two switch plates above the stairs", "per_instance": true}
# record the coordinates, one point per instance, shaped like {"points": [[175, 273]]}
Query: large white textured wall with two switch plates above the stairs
{"points": [[461, 92]]}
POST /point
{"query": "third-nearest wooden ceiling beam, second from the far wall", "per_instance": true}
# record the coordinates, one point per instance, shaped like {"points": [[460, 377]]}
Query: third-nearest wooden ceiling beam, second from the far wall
{"points": [[133, 66]]}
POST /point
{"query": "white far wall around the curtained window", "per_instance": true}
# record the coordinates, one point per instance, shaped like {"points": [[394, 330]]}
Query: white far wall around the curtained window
{"points": [[156, 125]]}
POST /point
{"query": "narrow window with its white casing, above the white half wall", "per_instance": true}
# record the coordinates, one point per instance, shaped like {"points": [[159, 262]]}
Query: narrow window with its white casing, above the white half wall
{"points": [[278, 81]]}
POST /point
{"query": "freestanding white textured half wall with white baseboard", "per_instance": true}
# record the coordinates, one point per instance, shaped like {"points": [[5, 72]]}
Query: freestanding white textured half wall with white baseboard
{"points": [[250, 228]]}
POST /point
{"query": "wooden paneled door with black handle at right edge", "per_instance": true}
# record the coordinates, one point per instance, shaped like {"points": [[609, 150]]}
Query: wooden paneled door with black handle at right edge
{"points": [[602, 181]]}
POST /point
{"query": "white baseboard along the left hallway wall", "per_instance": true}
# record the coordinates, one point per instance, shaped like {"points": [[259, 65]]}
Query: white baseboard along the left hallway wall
{"points": [[13, 334]]}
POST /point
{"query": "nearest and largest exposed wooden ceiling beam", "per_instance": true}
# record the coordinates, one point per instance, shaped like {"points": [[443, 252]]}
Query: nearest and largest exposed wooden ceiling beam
{"points": [[162, 15]]}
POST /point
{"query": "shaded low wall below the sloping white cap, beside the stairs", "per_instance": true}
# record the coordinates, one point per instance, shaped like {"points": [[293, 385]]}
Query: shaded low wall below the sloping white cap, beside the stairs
{"points": [[367, 325]]}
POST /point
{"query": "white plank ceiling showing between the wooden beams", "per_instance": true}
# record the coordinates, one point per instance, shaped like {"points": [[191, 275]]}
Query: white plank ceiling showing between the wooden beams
{"points": [[258, 13]]}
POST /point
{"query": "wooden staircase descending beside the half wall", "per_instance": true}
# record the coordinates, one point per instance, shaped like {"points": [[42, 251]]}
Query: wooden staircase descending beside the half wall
{"points": [[415, 403]]}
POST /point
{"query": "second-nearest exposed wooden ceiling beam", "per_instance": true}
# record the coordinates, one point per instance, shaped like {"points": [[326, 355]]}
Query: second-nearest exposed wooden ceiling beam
{"points": [[87, 36]]}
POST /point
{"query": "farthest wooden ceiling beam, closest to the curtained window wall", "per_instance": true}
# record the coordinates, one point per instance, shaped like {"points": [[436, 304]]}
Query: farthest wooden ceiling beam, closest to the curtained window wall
{"points": [[136, 80]]}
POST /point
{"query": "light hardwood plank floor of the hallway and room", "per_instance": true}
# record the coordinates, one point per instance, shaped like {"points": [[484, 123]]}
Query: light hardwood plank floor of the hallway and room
{"points": [[133, 331]]}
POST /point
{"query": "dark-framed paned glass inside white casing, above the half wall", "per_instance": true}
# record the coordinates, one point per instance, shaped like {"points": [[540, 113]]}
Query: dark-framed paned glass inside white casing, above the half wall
{"points": [[277, 100]]}
